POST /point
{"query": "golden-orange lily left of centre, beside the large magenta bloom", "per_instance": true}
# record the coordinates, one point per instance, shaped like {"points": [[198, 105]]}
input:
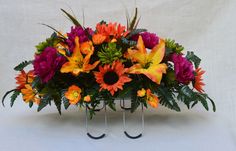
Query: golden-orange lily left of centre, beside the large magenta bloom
{"points": [[77, 63]]}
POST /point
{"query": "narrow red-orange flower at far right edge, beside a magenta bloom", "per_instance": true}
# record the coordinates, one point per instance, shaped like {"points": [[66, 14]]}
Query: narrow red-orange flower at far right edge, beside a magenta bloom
{"points": [[198, 84]]}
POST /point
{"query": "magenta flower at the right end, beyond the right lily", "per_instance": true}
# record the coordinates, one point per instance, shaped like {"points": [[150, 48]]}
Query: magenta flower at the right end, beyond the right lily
{"points": [[183, 69]]}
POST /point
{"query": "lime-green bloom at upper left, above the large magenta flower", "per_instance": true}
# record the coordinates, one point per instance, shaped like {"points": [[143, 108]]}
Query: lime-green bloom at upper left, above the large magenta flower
{"points": [[50, 42]]}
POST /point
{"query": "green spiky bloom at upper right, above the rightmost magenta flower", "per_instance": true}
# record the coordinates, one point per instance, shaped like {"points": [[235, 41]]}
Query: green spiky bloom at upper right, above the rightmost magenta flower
{"points": [[172, 47]]}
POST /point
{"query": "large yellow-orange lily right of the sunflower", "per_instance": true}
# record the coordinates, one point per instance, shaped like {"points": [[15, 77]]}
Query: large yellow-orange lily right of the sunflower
{"points": [[148, 63]]}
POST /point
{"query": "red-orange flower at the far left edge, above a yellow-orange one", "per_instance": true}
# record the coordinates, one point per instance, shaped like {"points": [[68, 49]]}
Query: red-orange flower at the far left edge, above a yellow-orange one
{"points": [[24, 78]]}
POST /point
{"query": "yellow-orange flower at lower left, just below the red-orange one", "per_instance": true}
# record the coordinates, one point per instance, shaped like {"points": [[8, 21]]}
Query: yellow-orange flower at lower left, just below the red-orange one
{"points": [[30, 94]]}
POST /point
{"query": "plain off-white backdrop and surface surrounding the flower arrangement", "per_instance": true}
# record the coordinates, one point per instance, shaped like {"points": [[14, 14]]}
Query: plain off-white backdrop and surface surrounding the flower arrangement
{"points": [[206, 26]]}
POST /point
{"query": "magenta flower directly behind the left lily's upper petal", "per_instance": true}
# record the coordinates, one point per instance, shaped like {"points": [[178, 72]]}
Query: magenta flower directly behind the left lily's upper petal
{"points": [[80, 32]]}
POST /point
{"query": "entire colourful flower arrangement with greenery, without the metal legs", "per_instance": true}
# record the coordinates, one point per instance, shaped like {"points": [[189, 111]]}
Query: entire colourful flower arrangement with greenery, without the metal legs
{"points": [[86, 66]]}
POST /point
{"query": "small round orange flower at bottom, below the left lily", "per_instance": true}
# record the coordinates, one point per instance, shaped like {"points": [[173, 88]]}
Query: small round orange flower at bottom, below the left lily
{"points": [[73, 94]]}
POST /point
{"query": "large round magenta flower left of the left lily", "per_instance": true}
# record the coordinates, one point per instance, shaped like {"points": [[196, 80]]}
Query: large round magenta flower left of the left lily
{"points": [[47, 63]]}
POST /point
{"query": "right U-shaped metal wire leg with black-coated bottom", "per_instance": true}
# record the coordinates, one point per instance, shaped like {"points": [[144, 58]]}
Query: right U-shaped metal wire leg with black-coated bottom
{"points": [[124, 123]]}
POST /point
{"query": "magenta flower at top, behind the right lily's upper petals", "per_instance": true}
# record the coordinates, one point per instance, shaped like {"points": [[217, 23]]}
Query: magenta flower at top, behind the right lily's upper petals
{"points": [[150, 39]]}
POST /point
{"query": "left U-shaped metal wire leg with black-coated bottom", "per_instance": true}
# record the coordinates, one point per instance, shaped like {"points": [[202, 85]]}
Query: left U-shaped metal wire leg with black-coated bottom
{"points": [[105, 123]]}
